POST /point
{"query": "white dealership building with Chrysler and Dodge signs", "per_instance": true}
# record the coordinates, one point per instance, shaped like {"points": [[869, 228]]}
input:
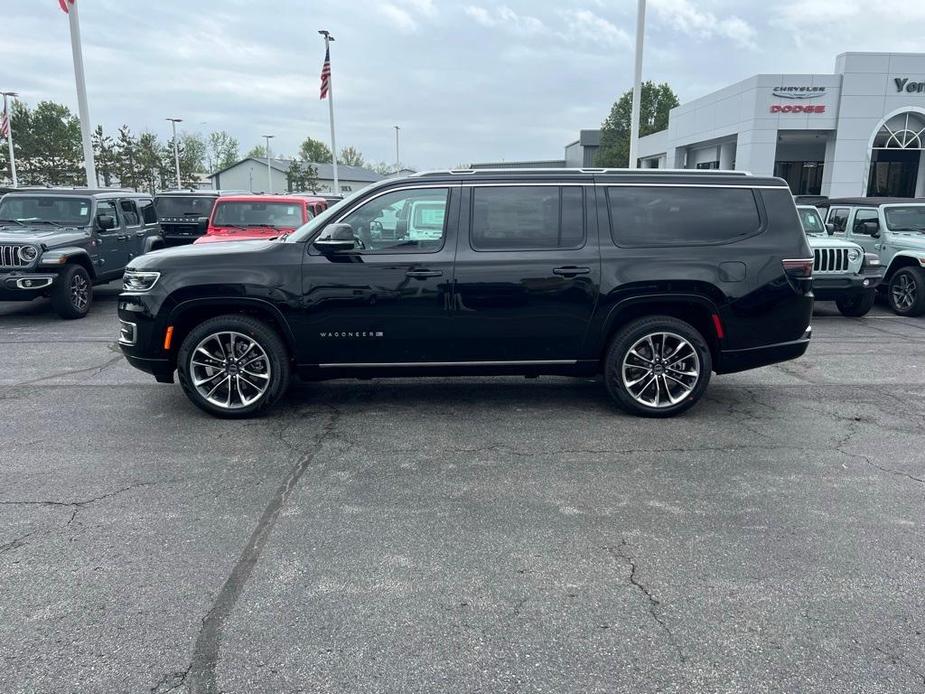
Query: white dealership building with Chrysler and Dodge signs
{"points": [[857, 131]]}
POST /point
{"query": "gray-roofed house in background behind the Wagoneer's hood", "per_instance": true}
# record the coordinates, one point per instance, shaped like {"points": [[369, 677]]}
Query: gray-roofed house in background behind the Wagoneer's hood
{"points": [[251, 174]]}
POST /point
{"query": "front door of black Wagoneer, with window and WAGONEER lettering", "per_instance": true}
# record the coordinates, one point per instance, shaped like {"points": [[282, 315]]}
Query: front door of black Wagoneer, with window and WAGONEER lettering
{"points": [[387, 302]]}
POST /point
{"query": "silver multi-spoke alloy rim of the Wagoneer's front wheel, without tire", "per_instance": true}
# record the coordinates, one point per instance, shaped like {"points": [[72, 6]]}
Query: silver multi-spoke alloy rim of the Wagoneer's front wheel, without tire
{"points": [[230, 370]]}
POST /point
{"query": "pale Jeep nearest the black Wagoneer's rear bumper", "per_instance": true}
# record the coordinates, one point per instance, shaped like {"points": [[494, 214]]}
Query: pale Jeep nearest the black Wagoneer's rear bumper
{"points": [[842, 271]]}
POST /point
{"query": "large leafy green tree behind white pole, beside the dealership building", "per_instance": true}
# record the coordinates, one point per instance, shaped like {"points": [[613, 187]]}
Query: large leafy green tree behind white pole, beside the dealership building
{"points": [[655, 103]]}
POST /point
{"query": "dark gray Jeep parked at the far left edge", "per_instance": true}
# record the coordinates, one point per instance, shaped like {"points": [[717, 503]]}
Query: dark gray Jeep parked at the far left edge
{"points": [[59, 242]]}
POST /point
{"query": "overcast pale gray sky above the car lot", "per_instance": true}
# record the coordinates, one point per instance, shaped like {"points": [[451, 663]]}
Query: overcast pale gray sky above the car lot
{"points": [[466, 81]]}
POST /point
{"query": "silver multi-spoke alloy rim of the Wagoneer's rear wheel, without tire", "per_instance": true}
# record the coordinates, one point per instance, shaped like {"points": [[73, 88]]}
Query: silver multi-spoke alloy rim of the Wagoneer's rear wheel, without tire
{"points": [[661, 370]]}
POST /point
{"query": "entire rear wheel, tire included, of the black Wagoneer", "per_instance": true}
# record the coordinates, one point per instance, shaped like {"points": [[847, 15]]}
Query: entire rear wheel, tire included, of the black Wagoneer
{"points": [[627, 359]]}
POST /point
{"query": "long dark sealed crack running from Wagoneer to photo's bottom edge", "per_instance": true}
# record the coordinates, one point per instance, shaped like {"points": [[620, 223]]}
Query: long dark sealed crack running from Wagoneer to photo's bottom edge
{"points": [[200, 677]]}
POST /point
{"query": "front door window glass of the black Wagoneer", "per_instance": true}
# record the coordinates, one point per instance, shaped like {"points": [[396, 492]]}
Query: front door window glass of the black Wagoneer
{"points": [[404, 221]]}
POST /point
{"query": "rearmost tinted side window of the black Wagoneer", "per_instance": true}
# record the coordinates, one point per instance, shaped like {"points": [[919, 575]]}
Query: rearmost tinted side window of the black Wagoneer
{"points": [[645, 216]]}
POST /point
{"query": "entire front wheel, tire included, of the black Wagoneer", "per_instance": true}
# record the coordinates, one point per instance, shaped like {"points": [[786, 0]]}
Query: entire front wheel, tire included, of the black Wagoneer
{"points": [[245, 386]]}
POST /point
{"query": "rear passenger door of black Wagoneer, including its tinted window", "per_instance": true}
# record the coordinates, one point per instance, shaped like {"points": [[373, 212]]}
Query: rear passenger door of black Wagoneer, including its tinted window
{"points": [[524, 305]]}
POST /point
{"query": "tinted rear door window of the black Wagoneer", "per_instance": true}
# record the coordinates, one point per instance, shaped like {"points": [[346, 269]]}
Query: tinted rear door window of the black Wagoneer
{"points": [[524, 218]]}
